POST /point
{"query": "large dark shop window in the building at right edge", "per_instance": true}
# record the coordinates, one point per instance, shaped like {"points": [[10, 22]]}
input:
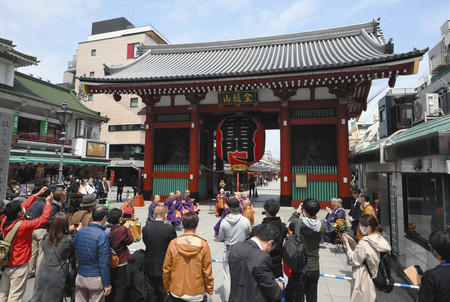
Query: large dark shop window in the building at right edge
{"points": [[427, 205]]}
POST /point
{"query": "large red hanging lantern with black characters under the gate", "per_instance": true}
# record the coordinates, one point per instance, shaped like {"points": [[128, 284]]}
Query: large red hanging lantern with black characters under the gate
{"points": [[240, 140]]}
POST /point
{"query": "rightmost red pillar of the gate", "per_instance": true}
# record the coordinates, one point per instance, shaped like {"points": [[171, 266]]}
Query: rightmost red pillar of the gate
{"points": [[342, 151]]}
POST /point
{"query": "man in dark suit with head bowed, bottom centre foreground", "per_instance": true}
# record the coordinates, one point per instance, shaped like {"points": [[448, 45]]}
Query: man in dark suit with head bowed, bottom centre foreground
{"points": [[251, 273]]}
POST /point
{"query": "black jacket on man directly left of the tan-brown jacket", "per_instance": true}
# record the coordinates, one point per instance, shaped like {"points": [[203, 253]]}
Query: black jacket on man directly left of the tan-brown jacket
{"points": [[156, 236]]}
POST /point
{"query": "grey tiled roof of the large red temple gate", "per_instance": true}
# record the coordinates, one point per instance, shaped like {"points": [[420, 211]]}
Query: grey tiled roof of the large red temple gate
{"points": [[335, 48]]}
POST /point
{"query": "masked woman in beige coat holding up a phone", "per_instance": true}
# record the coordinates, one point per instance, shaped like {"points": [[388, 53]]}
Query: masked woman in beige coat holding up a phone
{"points": [[367, 250]]}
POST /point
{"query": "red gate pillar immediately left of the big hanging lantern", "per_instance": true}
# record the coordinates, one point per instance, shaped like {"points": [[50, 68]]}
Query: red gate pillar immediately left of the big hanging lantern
{"points": [[194, 152]]}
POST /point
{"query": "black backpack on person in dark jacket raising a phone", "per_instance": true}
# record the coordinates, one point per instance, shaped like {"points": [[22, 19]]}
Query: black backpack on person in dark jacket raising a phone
{"points": [[293, 251]]}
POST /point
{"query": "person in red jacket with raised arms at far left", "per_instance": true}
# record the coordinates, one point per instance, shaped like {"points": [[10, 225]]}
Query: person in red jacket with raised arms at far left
{"points": [[15, 276]]}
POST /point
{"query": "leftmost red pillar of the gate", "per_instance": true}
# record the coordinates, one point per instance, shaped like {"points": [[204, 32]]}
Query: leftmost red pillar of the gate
{"points": [[149, 155]]}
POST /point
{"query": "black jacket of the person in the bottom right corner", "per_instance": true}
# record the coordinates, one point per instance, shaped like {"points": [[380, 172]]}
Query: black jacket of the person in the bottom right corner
{"points": [[435, 285]]}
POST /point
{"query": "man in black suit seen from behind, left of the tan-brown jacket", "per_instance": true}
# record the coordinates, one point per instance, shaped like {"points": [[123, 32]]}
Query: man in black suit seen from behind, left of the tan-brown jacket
{"points": [[156, 236]]}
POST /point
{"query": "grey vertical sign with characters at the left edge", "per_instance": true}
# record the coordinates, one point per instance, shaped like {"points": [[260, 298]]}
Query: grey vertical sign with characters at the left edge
{"points": [[6, 126]]}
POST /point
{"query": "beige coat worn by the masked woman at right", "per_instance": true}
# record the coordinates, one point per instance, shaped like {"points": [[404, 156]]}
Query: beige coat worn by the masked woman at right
{"points": [[369, 248]]}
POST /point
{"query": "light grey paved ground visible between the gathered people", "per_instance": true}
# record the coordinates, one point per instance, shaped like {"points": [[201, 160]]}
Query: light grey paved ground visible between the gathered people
{"points": [[334, 290]]}
